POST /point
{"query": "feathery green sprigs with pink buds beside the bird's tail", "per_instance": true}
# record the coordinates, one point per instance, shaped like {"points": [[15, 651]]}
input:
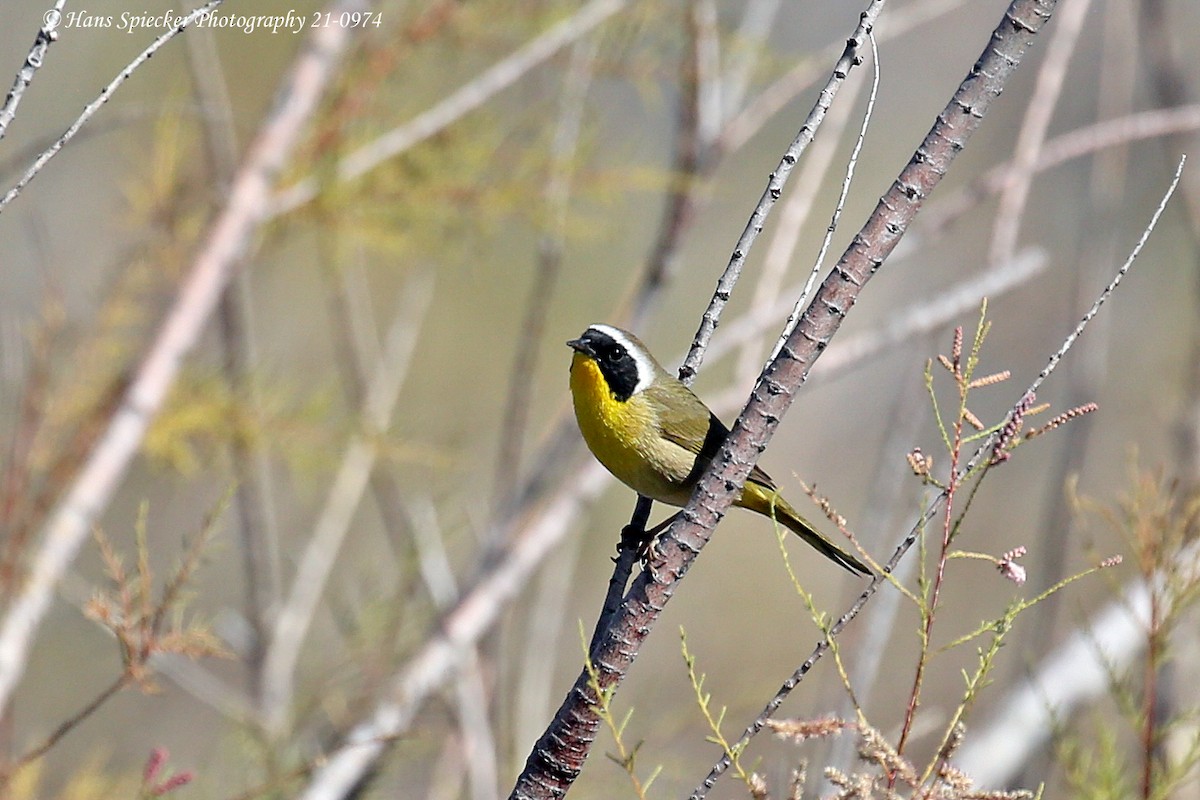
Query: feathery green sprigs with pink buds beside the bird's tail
{"points": [[887, 771]]}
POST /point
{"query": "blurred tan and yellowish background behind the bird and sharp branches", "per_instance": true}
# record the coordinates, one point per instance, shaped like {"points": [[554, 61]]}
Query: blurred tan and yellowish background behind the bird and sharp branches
{"points": [[410, 322]]}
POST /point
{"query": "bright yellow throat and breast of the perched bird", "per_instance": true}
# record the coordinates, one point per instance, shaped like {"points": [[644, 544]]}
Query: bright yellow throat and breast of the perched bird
{"points": [[625, 436]]}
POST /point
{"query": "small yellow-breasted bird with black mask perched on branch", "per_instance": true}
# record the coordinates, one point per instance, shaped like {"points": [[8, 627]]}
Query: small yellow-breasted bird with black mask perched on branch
{"points": [[657, 437]]}
